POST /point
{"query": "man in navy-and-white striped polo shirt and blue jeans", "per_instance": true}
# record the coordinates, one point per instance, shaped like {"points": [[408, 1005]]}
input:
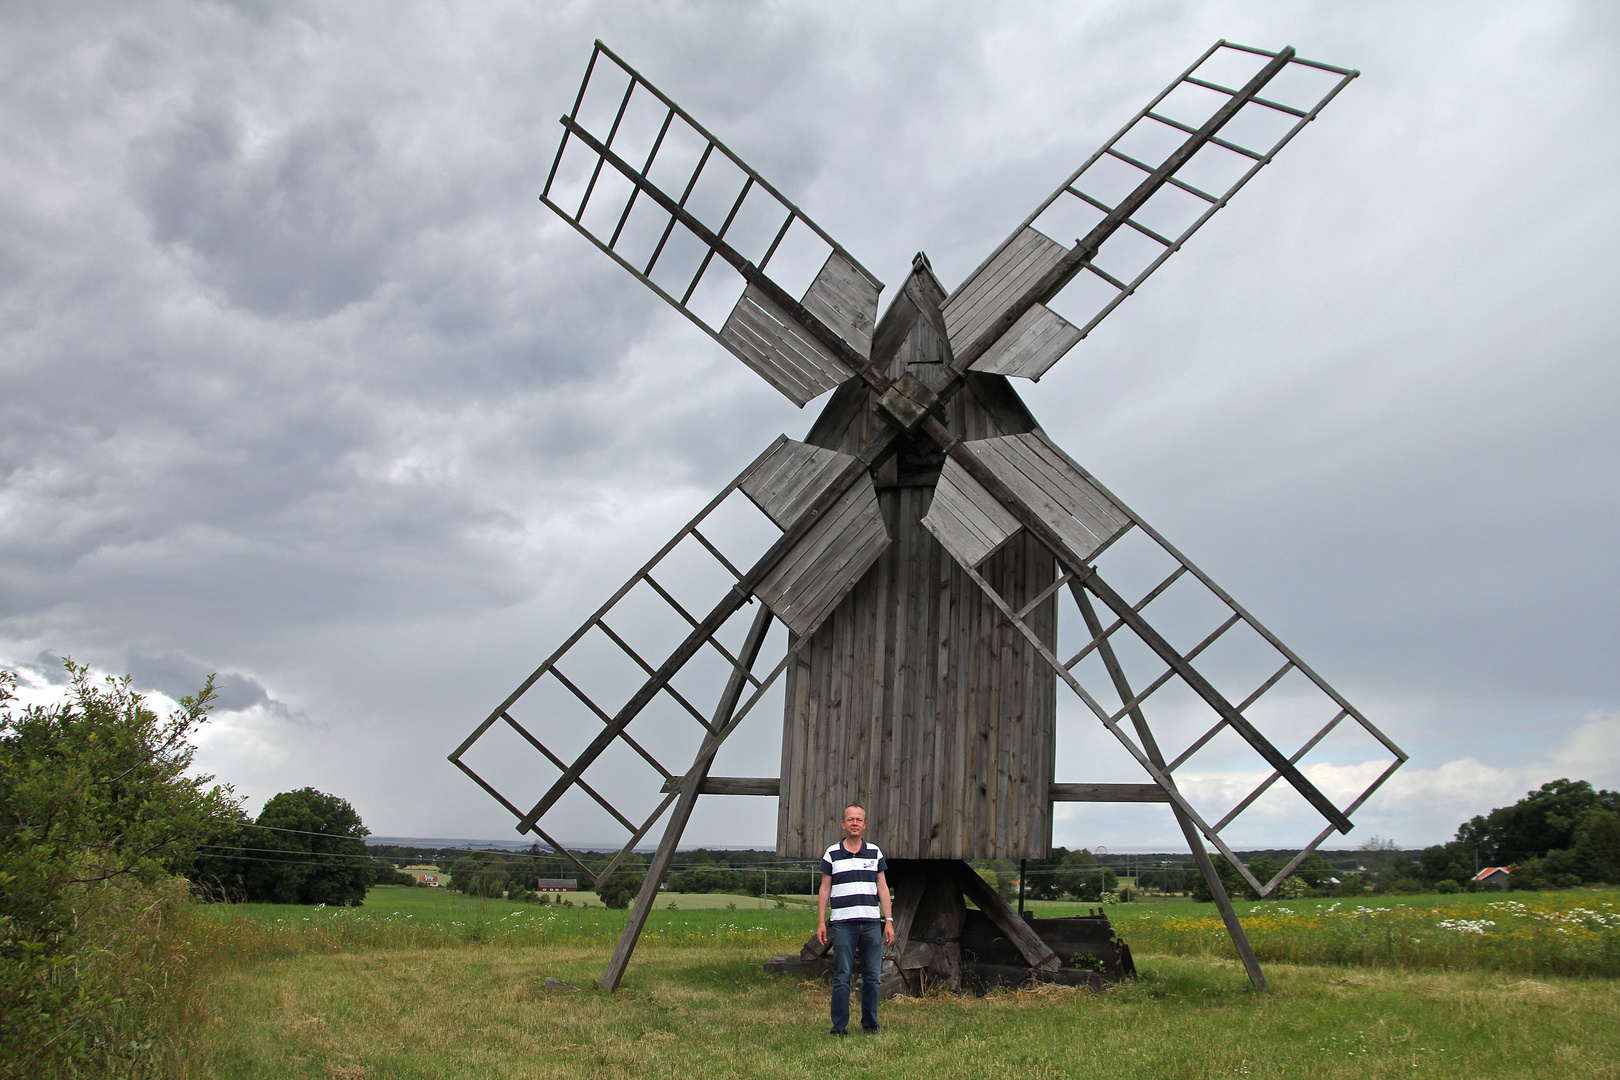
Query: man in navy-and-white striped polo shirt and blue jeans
{"points": [[855, 885]]}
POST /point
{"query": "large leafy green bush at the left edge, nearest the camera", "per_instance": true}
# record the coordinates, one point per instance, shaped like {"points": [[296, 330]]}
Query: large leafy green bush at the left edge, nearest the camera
{"points": [[98, 815]]}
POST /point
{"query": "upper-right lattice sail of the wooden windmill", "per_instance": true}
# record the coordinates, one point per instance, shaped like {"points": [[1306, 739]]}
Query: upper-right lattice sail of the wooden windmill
{"points": [[1133, 205]]}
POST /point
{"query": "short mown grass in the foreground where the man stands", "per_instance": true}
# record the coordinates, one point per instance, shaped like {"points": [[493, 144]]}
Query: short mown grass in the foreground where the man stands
{"points": [[710, 1013]]}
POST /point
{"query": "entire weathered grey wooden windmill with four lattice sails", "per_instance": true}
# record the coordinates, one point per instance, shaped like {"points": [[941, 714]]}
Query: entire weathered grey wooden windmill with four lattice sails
{"points": [[916, 548]]}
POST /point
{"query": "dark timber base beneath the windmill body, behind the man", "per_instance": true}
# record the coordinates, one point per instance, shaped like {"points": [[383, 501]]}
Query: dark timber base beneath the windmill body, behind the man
{"points": [[942, 943]]}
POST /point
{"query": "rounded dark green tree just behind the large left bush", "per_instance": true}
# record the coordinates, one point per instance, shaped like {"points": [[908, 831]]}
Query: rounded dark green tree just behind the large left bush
{"points": [[305, 848]]}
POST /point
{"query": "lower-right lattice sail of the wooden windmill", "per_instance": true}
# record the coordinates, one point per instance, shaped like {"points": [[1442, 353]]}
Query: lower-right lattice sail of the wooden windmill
{"points": [[994, 490]]}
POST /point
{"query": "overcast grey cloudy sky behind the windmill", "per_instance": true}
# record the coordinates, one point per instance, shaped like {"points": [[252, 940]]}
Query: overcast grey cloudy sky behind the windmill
{"points": [[301, 385]]}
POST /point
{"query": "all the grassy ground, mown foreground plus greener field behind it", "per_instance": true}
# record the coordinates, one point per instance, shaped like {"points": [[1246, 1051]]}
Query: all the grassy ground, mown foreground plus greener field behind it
{"points": [[425, 984]]}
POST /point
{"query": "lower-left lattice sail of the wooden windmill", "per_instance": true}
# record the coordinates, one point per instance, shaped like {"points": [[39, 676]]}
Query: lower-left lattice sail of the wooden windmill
{"points": [[832, 532]]}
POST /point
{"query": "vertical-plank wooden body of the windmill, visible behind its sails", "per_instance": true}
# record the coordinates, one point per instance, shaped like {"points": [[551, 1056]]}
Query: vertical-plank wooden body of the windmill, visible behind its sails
{"points": [[916, 699]]}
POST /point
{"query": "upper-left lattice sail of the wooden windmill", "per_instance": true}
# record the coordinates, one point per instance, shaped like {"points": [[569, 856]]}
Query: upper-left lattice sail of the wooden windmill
{"points": [[649, 185]]}
